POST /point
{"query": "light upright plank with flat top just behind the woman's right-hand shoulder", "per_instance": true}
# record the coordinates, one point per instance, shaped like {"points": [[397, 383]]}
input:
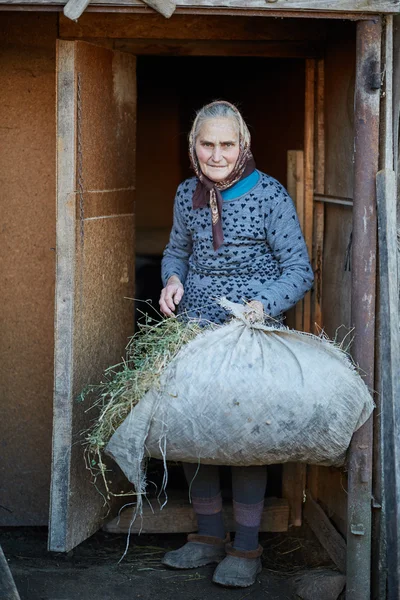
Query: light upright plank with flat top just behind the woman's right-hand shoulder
{"points": [[295, 186]]}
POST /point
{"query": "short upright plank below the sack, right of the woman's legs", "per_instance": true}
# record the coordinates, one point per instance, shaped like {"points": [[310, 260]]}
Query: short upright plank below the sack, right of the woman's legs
{"points": [[293, 489]]}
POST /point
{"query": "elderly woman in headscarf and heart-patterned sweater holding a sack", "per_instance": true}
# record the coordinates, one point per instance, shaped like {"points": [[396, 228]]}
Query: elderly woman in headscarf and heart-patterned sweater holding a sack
{"points": [[235, 234]]}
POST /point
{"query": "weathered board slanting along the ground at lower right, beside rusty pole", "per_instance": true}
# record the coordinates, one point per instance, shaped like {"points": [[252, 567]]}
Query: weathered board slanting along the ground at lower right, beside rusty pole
{"points": [[325, 532]]}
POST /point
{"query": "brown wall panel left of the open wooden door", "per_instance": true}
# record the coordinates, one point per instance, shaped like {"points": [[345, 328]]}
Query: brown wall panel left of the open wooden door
{"points": [[27, 254]]}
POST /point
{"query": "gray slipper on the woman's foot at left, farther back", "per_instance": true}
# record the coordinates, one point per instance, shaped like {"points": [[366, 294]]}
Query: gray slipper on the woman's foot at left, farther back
{"points": [[200, 550]]}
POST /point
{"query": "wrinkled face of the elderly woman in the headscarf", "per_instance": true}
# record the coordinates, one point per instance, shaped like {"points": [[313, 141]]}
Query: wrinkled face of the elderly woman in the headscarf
{"points": [[217, 148]]}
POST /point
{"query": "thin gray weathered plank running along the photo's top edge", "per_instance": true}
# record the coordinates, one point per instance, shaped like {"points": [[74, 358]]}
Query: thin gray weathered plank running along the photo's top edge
{"points": [[339, 6]]}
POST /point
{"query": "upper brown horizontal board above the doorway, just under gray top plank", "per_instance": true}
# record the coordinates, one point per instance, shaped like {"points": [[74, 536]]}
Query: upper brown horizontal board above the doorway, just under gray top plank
{"points": [[192, 27]]}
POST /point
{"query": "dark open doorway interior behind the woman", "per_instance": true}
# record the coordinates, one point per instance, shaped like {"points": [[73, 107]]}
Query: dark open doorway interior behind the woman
{"points": [[268, 91]]}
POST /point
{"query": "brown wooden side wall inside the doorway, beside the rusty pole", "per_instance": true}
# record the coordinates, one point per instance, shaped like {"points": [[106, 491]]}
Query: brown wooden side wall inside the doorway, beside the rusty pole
{"points": [[329, 484]]}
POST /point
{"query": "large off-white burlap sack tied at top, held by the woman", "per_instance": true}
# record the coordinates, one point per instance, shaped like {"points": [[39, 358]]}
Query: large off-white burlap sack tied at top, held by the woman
{"points": [[247, 394]]}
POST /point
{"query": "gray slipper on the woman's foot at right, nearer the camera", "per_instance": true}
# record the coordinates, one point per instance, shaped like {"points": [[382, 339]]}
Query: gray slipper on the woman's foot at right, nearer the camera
{"points": [[240, 568]]}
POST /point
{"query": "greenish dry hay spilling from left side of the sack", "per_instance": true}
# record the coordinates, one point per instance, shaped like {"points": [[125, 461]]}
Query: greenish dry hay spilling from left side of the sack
{"points": [[148, 353]]}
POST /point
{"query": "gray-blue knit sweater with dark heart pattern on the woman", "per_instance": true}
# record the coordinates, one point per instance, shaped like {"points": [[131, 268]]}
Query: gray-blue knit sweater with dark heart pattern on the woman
{"points": [[263, 257]]}
